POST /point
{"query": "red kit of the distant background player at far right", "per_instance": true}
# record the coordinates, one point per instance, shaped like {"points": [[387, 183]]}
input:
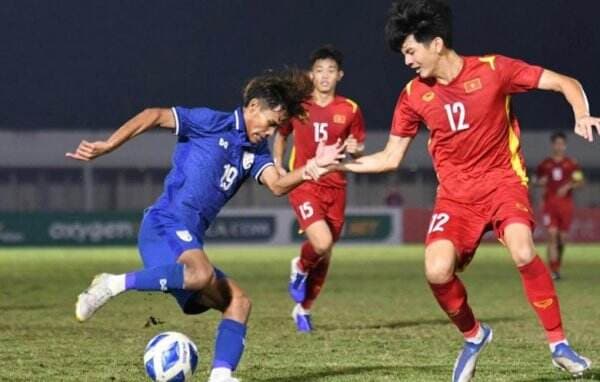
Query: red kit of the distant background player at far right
{"points": [[558, 210]]}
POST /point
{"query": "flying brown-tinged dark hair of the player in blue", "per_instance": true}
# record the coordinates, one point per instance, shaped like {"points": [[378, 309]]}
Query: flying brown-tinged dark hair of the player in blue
{"points": [[287, 88]]}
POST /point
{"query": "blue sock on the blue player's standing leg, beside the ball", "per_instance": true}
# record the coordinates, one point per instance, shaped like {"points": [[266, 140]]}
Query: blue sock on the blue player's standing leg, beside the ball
{"points": [[229, 345]]}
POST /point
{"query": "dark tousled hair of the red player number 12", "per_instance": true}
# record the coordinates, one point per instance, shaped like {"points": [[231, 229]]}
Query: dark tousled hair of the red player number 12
{"points": [[424, 19]]}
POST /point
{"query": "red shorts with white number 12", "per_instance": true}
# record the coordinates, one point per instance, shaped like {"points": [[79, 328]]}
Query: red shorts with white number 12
{"points": [[465, 223]]}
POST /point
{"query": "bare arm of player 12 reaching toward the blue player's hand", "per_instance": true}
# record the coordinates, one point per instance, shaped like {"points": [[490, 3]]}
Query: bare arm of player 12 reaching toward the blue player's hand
{"points": [[387, 160]]}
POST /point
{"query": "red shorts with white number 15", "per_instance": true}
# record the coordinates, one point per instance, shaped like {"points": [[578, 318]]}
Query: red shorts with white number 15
{"points": [[313, 202]]}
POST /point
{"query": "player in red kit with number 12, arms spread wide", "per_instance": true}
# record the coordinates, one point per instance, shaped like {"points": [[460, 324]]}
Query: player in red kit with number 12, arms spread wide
{"points": [[474, 141]]}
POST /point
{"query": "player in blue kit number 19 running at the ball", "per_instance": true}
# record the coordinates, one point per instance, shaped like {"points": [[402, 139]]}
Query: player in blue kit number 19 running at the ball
{"points": [[215, 153]]}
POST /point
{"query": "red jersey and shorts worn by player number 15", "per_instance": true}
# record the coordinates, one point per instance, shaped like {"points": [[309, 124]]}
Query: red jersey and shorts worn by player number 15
{"points": [[324, 199]]}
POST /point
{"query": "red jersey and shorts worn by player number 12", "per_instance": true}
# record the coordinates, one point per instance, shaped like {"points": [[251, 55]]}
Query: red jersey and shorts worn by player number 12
{"points": [[474, 143]]}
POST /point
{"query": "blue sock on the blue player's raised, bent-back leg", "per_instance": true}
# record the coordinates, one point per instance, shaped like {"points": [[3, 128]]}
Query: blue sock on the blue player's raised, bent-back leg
{"points": [[163, 278]]}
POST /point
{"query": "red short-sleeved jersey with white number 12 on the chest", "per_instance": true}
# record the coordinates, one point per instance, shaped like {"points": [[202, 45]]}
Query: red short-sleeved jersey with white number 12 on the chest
{"points": [[474, 137]]}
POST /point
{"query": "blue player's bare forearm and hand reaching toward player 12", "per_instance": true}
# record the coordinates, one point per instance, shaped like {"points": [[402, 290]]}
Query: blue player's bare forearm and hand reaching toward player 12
{"points": [[327, 155]]}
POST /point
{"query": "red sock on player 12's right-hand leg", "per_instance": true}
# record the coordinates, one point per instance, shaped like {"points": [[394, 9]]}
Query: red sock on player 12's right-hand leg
{"points": [[541, 294]]}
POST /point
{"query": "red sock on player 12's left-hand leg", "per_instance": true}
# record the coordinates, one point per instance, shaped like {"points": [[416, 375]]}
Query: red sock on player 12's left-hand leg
{"points": [[452, 298]]}
